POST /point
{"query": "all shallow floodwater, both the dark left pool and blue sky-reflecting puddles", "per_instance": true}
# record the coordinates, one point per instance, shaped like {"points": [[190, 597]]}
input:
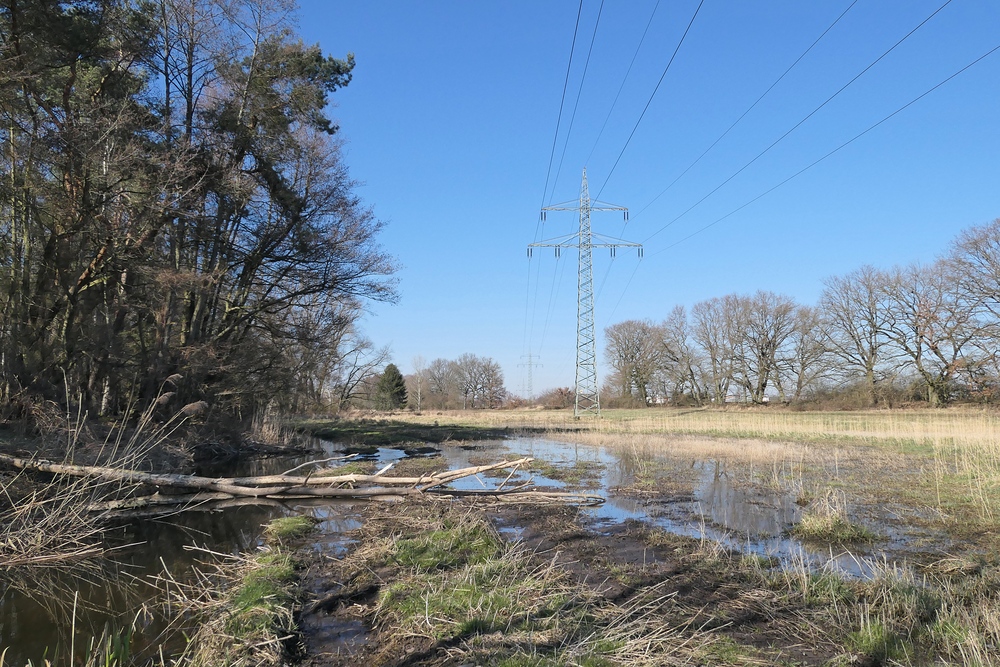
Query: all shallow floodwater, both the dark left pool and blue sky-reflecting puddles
{"points": [[38, 612]]}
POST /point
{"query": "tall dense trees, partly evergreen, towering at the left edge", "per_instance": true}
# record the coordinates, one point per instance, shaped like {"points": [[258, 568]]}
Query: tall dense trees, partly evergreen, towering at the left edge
{"points": [[174, 202]]}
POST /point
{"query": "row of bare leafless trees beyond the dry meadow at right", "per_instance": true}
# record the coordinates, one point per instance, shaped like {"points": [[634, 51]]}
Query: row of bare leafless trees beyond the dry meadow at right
{"points": [[925, 332]]}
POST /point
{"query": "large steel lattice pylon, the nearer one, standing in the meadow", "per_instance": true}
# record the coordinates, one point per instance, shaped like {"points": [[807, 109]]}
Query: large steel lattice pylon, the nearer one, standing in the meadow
{"points": [[588, 400]]}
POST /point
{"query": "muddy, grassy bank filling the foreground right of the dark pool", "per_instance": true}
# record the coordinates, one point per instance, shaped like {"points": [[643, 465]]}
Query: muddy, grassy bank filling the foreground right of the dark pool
{"points": [[447, 583]]}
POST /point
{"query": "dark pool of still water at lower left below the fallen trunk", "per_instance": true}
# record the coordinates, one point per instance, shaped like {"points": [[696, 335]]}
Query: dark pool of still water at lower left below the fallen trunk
{"points": [[118, 593]]}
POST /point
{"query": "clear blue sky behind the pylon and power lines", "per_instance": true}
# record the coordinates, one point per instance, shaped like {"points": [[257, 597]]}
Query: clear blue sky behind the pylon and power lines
{"points": [[450, 118]]}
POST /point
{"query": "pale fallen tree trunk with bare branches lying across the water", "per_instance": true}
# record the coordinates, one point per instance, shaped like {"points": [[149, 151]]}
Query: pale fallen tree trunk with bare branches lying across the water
{"points": [[286, 486]]}
